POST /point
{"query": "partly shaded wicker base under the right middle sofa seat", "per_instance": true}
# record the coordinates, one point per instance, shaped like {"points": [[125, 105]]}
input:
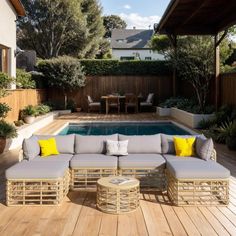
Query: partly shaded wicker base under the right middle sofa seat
{"points": [[154, 179]]}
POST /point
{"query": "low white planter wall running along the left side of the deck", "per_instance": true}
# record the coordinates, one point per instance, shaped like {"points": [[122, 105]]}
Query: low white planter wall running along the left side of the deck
{"points": [[27, 130]]}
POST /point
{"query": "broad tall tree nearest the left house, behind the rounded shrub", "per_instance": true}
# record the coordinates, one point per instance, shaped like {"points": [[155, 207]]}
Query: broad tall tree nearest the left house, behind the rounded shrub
{"points": [[50, 26]]}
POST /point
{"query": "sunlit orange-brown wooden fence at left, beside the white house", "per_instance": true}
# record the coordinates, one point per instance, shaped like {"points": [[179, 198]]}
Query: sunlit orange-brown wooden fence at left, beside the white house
{"points": [[18, 99]]}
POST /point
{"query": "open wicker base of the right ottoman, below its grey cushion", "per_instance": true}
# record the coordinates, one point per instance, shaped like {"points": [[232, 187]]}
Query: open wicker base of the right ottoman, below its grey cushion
{"points": [[189, 192]]}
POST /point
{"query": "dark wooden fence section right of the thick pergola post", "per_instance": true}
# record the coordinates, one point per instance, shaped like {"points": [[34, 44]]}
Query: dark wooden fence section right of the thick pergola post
{"points": [[228, 89]]}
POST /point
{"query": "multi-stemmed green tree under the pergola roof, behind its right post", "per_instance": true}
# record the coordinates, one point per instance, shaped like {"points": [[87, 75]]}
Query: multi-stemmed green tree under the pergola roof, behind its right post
{"points": [[194, 60]]}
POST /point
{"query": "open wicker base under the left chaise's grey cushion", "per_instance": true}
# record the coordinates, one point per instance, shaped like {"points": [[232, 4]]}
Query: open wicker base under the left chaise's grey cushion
{"points": [[37, 191]]}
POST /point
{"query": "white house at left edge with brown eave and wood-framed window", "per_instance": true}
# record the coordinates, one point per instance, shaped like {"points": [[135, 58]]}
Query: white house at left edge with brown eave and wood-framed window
{"points": [[9, 11]]}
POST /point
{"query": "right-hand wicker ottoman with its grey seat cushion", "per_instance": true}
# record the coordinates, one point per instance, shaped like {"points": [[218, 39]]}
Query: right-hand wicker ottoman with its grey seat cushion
{"points": [[197, 182]]}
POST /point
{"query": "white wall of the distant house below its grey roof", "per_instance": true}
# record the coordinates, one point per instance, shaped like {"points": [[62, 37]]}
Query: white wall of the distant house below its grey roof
{"points": [[118, 53]]}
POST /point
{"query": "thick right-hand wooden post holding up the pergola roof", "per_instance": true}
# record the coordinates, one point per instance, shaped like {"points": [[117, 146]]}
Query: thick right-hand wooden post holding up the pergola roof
{"points": [[217, 70]]}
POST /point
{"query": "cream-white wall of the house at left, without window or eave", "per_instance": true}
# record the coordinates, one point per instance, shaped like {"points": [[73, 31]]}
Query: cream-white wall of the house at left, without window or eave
{"points": [[8, 33]]}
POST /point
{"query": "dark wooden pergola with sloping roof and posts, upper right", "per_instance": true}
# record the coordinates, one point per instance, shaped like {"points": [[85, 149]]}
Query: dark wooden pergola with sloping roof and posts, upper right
{"points": [[199, 17]]}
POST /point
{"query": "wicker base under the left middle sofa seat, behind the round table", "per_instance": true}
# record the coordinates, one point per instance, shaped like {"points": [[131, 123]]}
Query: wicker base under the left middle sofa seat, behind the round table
{"points": [[86, 179]]}
